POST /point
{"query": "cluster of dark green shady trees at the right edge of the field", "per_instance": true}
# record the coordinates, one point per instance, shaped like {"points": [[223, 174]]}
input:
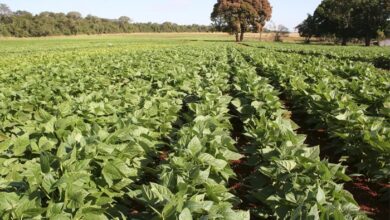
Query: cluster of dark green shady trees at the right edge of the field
{"points": [[348, 19]]}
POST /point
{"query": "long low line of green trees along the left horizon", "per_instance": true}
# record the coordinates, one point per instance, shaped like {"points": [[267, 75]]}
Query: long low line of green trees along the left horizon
{"points": [[25, 24]]}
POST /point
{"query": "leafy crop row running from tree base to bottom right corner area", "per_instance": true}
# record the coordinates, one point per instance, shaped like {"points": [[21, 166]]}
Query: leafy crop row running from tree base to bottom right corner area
{"points": [[287, 177]]}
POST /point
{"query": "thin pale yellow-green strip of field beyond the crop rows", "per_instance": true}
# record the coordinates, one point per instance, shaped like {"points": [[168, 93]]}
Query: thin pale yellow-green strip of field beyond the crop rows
{"points": [[13, 45]]}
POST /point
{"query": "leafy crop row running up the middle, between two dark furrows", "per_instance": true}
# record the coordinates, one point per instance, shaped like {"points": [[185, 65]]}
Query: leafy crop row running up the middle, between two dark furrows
{"points": [[194, 174]]}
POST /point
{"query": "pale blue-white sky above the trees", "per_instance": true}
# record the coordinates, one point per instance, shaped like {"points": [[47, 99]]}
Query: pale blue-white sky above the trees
{"points": [[286, 12]]}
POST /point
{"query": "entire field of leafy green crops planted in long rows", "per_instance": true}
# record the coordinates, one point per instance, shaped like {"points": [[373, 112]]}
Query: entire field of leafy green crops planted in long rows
{"points": [[187, 128]]}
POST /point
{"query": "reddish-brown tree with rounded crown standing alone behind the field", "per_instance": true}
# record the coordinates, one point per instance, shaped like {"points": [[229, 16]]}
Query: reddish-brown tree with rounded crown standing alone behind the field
{"points": [[240, 16]]}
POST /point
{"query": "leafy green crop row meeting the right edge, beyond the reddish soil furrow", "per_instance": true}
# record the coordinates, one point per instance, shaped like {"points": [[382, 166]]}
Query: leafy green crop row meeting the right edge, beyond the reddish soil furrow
{"points": [[329, 105]]}
